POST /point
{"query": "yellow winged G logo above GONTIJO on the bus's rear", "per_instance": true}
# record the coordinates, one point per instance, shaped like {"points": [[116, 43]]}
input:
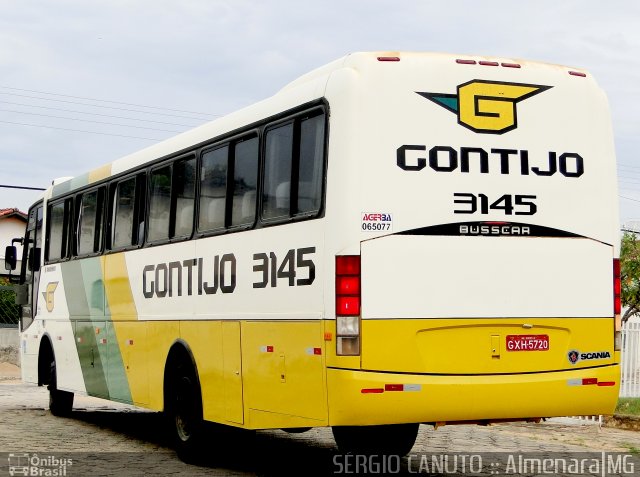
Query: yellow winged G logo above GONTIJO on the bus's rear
{"points": [[486, 106]]}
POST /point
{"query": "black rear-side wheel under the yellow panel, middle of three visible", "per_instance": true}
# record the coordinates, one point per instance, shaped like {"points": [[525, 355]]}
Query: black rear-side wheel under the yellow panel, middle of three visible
{"points": [[184, 411]]}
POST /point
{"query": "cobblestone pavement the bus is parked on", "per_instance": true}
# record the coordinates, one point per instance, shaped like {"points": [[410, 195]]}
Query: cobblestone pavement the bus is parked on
{"points": [[105, 438]]}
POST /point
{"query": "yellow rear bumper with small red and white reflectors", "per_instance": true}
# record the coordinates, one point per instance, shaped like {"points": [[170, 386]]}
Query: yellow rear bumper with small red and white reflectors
{"points": [[369, 398]]}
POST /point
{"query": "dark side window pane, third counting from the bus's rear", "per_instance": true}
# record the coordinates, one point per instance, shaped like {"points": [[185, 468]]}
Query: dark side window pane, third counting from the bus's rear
{"points": [[245, 178]]}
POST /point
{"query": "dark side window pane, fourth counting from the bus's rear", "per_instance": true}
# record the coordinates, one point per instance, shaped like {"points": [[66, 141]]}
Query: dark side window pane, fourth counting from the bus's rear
{"points": [[213, 189]]}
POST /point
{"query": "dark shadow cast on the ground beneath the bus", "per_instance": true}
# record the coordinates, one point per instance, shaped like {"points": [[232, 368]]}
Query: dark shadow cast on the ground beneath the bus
{"points": [[263, 453]]}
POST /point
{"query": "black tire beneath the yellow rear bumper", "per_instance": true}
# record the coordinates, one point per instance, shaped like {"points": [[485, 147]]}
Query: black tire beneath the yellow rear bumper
{"points": [[390, 439]]}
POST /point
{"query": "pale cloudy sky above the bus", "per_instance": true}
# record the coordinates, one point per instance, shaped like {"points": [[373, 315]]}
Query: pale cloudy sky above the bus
{"points": [[85, 82]]}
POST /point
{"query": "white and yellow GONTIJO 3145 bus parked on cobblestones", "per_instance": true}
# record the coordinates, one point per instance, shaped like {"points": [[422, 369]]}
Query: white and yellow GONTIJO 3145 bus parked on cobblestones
{"points": [[391, 239]]}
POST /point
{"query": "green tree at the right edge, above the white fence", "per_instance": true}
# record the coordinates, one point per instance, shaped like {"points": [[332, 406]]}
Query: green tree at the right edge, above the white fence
{"points": [[630, 275]]}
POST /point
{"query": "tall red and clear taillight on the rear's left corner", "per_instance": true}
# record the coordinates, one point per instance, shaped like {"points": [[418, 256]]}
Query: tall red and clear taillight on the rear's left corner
{"points": [[348, 305]]}
